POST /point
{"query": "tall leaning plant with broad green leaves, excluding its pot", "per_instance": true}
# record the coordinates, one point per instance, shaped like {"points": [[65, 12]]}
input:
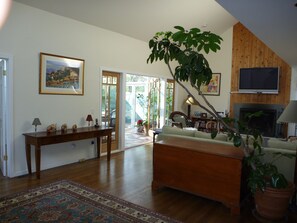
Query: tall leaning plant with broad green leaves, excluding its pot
{"points": [[182, 53]]}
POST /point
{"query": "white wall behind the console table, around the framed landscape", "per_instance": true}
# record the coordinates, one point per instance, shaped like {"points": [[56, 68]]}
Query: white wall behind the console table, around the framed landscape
{"points": [[29, 31]]}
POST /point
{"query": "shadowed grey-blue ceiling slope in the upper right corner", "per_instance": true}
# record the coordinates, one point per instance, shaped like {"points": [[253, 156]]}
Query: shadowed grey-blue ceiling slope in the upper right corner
{"points": [[272, 21]]}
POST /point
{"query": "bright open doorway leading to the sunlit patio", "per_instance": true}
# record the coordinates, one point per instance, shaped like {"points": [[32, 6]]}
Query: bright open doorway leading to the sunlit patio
{"points": [[148, 100]]}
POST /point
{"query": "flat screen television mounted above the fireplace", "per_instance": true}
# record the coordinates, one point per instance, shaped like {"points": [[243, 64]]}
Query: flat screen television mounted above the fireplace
{"points": [[259, 80]]}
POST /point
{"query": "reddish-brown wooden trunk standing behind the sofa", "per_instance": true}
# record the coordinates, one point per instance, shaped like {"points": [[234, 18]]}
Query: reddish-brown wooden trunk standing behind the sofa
{"points": [[209, 170]]}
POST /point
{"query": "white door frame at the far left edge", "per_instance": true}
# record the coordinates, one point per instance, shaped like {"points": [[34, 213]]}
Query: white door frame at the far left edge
{"points": [[8, 115]]}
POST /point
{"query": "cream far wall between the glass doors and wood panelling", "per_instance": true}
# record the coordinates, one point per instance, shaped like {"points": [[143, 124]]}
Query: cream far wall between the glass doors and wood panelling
{"points": [[220, 62]]}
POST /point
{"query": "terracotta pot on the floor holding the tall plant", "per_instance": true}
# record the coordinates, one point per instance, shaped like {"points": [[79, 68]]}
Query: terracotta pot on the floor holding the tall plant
{"points": [[273, 203]]}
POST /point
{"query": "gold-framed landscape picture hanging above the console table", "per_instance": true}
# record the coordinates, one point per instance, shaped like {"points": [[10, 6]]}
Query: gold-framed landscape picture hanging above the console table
{"points": [[61, 75]]}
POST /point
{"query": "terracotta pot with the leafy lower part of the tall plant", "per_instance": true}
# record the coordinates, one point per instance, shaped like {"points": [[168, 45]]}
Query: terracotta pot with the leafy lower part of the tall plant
{"points": [[271, 190]]}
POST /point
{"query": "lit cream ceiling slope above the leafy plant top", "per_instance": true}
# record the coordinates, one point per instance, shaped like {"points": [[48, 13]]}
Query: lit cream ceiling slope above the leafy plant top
{"points": [[141, 19]]}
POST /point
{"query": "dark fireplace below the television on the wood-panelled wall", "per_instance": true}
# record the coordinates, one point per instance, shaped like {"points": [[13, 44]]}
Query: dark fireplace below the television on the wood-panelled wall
{"points": [[266, 124]]}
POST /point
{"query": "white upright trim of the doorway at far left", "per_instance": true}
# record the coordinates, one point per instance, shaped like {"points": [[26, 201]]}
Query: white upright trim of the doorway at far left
{"points": [[9, 116]]}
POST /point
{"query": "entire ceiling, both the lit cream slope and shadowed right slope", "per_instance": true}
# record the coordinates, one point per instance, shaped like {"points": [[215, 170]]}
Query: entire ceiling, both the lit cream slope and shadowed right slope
{"points": [[273, 21]]}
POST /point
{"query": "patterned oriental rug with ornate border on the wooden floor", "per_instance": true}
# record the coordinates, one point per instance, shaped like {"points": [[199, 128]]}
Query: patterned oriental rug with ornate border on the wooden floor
{"points": [[66, 201]]}
